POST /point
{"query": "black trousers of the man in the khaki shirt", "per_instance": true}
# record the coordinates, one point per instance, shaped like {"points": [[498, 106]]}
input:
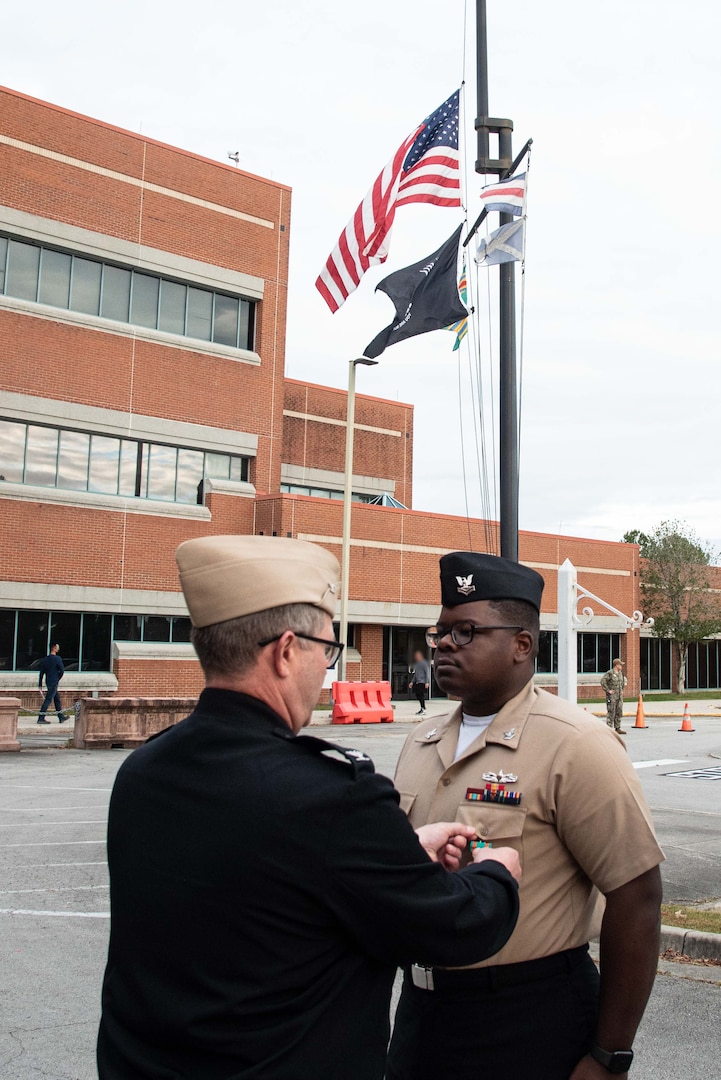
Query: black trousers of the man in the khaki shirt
{"points": [[535, 1021]]}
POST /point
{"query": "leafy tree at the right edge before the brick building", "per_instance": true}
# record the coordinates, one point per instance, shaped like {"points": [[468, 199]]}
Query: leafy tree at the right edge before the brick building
{"points": [[677, 584]]}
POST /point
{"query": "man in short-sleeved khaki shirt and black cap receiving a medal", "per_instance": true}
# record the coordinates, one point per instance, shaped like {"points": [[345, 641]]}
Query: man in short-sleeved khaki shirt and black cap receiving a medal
{"points": [[541, 776]]}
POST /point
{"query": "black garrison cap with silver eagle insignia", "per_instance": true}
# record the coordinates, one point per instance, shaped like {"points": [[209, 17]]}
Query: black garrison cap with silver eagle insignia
{"points": [[469, 576]]}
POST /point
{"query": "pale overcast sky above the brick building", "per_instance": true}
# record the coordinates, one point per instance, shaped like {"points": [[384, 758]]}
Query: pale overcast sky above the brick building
{"points": [[621, 402]]}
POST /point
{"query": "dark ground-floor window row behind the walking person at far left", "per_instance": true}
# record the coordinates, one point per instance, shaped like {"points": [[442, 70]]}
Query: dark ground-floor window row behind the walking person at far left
{"points": [[86, 639]]}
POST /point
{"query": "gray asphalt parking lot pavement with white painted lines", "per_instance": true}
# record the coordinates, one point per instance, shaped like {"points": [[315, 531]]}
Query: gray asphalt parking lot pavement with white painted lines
{"points": [[55, 898]]}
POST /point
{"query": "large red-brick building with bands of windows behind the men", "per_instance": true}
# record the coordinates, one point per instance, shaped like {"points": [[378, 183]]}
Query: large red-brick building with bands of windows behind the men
{"points": [[144, 401]]}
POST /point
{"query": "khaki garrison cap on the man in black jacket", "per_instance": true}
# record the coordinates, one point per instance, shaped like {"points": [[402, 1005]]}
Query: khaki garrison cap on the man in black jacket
{"points": [[228, 577]]}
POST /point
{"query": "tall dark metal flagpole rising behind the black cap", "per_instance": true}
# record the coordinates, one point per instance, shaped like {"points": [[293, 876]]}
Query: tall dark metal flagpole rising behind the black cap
{"points": [[508, 380]]}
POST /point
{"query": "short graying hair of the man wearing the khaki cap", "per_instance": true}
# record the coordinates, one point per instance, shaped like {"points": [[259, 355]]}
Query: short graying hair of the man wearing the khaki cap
{"points": [[232, 647]]}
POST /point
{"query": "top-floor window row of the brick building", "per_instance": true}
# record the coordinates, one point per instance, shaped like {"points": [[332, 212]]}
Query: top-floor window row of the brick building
{"points": [[64, 280]]}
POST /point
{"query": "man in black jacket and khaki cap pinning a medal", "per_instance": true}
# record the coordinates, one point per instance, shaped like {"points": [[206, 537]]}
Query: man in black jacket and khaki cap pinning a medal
{"points": [[263, 889]]}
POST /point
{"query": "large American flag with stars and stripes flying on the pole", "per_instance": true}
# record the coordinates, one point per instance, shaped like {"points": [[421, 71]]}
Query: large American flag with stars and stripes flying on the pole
{"points": [[425, 169]]}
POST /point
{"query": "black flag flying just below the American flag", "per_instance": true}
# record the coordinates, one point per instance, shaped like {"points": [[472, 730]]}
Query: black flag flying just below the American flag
{"points": [[426, 298]]}
